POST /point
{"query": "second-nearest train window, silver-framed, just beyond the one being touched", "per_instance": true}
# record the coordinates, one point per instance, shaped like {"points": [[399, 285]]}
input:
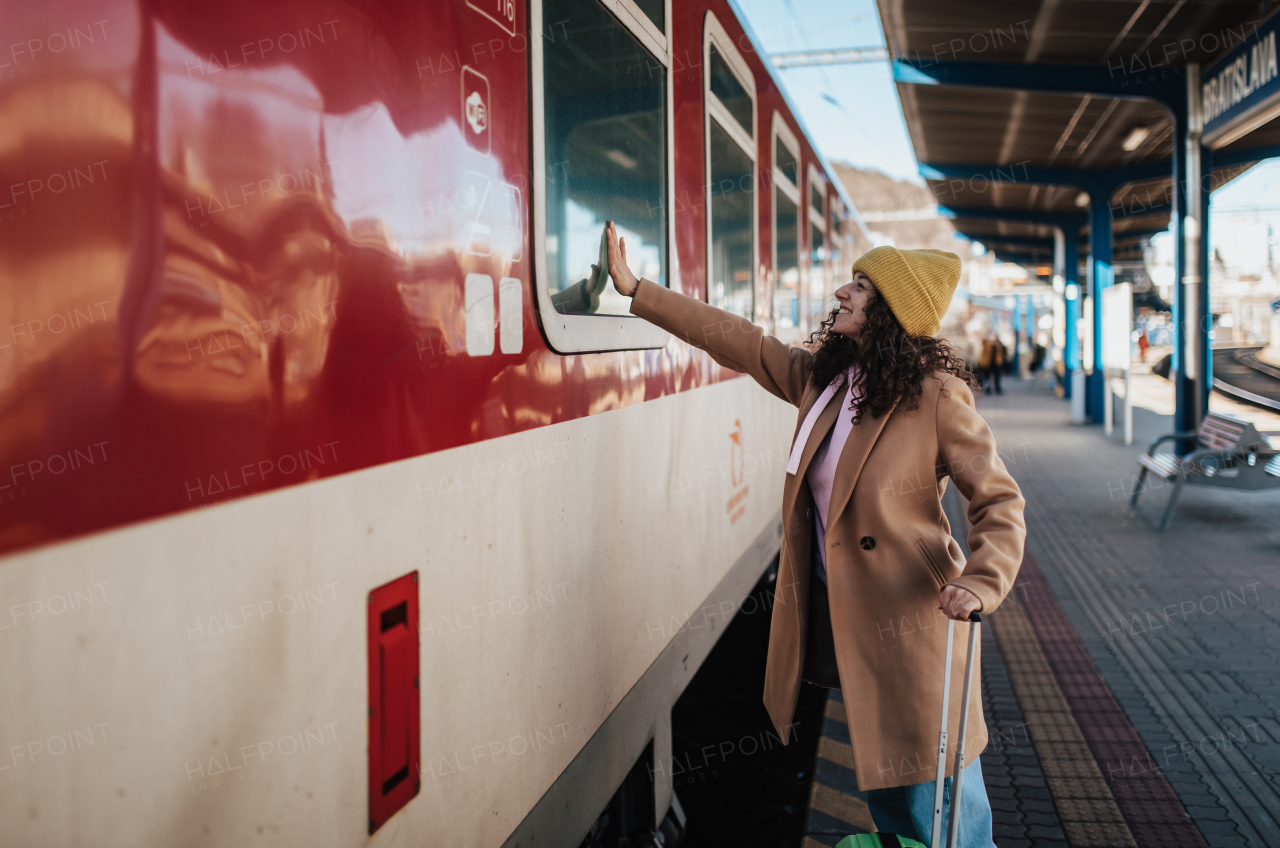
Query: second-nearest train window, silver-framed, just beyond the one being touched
{"points": [[730, 115]]}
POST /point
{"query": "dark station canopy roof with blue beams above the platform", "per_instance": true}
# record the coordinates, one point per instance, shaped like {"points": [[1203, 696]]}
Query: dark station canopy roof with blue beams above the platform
{"points": [[1139, 48]]}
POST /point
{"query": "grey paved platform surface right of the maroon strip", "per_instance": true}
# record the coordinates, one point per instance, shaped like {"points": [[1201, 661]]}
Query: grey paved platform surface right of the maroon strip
{"points": [[1119, 586]]}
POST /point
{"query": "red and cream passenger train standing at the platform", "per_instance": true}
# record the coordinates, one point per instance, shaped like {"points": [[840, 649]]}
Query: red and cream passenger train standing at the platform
{"points": [[342, 501]]}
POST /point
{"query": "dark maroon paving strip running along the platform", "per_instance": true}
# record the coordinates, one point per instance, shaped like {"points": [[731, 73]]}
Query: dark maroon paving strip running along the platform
{"points": [[1149, 804]]}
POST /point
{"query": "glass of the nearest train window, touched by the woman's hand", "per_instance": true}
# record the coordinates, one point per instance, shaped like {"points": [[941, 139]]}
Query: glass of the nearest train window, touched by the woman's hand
{"points": [[605, 154]]}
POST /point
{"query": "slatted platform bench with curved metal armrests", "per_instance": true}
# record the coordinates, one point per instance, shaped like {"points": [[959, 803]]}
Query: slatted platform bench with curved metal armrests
{"points": [[1229, 454]]}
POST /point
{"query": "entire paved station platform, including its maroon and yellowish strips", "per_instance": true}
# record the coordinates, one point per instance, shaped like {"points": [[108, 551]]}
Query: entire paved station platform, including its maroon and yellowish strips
{"points": [[1131, 681]]}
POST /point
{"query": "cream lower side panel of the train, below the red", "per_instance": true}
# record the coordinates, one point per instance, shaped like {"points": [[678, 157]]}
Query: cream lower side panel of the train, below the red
{"points": [[202, 680]]}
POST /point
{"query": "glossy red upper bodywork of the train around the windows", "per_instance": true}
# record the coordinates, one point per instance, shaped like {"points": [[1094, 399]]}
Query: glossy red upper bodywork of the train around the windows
{"points": [[193, 317]]}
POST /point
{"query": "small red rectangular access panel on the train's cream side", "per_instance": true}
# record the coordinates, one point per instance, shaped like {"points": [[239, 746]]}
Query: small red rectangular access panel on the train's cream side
{"points": [[394, 699]]}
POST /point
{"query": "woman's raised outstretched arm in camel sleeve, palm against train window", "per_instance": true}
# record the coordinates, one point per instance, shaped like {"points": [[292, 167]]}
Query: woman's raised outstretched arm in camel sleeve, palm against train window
{"points": [[733, 341]]}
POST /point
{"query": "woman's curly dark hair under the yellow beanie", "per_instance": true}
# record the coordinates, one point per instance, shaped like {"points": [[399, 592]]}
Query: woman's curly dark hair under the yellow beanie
{"points": [[893, 364]]}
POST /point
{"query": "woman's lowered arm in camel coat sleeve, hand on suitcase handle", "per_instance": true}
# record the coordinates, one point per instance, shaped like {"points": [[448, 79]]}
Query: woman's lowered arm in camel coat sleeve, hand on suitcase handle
{"points": [[968, 453]]}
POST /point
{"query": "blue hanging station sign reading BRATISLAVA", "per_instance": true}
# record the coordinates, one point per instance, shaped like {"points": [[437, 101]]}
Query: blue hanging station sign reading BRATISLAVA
{"points": [[1241, 92]]}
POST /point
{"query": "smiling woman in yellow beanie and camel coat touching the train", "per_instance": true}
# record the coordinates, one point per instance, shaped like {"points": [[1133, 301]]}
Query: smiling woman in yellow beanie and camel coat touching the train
{"points": [[886, 416]]}
